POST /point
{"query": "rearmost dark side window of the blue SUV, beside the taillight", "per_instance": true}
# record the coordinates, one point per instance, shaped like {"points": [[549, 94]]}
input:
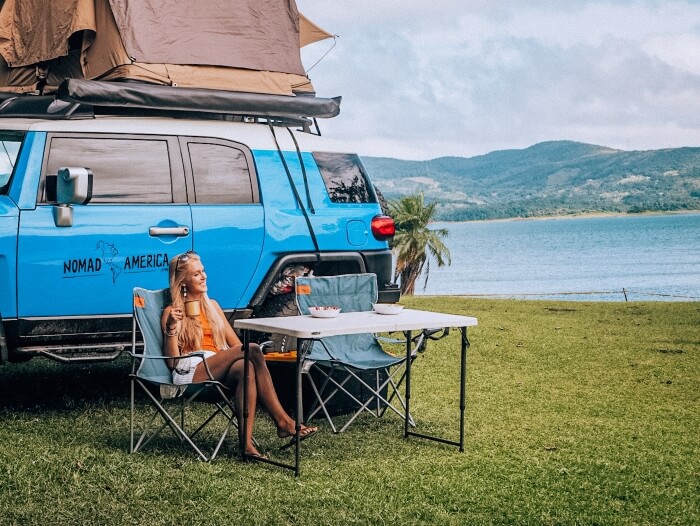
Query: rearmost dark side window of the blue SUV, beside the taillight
{"points": [[344, 176]]}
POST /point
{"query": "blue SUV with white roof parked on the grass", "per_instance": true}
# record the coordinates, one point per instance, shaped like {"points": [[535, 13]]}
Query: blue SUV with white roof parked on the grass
{"points": [[94, 202]]}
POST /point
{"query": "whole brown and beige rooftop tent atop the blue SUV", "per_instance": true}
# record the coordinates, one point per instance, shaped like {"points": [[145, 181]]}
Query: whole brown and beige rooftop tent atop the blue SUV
{"points": [[233, 45]]}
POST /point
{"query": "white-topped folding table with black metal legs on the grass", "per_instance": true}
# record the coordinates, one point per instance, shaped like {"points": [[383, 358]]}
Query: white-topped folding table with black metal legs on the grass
{"points": [[307, 329]]}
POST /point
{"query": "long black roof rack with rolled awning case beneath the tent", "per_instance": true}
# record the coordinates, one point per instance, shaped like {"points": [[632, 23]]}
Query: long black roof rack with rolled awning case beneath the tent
{"points": [[77, 98]]}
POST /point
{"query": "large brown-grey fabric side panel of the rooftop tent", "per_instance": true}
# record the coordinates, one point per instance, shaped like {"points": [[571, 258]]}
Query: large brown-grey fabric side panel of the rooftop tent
{"points": [[252, 34]]}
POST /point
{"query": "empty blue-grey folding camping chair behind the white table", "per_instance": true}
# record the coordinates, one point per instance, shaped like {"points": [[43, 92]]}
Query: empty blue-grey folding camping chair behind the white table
{"points": [[343, 364]]}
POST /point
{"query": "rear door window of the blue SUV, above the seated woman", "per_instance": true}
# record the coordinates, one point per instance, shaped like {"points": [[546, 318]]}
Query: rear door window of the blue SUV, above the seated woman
{"points": [[221, 174]]}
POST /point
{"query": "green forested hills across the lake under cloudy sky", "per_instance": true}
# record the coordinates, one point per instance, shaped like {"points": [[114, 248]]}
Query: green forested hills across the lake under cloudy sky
{"points": [[549, 178]]}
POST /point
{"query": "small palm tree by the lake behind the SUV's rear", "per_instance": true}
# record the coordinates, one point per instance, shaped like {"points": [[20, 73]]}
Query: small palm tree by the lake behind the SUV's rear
{"points": [[414, 241]]}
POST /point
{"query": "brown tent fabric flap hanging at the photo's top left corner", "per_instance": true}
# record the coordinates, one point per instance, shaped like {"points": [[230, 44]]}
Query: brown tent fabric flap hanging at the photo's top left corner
{"points": [[33, 31]]}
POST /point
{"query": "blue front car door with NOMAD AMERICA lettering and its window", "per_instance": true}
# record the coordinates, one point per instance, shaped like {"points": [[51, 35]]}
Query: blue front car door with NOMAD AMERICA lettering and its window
{"points": [[137, 220]]}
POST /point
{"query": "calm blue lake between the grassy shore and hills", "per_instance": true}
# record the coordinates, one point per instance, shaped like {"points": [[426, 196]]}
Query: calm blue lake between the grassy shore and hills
{"points": [[652, 257]]}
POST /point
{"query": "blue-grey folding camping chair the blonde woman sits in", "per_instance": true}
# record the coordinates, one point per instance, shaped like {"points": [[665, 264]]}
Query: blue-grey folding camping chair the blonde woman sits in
{"points": [[151, 374]]}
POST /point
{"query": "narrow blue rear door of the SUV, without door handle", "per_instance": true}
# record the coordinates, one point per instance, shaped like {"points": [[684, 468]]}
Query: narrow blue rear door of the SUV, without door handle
{"points": [[227, 215]]}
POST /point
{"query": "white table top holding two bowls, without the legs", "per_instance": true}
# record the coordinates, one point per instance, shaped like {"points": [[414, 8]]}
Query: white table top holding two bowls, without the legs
{"points": [[307, 327]]}
